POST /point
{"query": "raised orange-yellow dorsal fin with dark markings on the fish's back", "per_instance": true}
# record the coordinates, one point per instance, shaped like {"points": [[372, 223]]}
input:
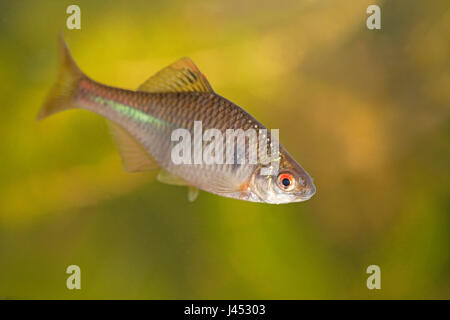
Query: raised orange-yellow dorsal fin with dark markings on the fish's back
{"points": [[181, 76]]}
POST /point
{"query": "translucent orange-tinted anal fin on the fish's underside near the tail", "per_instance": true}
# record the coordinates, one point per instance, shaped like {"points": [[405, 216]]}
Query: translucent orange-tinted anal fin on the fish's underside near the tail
{"points": [[134, 157]]}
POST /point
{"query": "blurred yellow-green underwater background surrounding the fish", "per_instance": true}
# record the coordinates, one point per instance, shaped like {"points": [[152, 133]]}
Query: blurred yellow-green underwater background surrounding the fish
{"points": [[366, 113]]}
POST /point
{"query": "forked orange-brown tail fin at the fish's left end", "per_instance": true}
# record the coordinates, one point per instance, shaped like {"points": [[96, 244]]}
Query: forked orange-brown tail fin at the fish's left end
{"points": [[60, 96]]}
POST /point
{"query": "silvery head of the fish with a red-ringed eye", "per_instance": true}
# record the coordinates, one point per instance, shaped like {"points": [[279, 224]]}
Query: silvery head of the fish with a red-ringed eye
{"points": [[290, 183]]}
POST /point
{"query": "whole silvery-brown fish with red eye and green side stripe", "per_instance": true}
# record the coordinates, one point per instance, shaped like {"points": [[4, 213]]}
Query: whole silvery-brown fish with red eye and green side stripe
{"points": [[143, 123]]}
